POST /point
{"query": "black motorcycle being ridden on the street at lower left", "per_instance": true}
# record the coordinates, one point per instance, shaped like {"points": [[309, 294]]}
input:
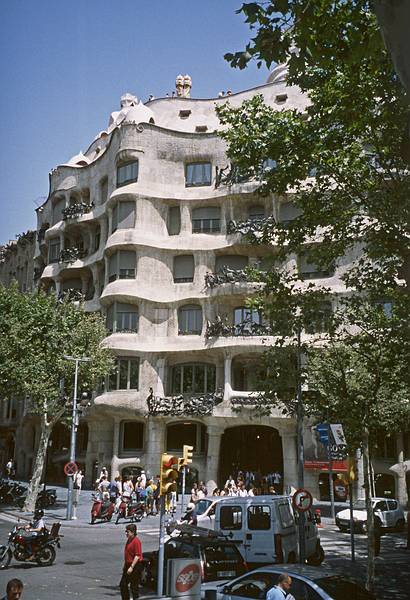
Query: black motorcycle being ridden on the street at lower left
{"points": [[42, 547]]}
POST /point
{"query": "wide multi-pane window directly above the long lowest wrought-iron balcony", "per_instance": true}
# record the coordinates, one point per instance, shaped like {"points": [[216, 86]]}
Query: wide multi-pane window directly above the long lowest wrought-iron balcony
{"points": [[193, 379]]}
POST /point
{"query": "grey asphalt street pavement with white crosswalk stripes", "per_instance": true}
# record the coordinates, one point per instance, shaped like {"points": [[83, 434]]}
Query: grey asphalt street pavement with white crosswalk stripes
{"points": [[88, 565]]}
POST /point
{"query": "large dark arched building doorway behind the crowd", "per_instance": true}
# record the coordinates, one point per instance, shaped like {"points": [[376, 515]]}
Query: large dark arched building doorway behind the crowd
{"points": [[256, 448]]}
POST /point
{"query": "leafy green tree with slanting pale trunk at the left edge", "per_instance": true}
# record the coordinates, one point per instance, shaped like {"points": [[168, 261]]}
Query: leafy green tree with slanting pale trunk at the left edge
{"points": [[36, 332]]}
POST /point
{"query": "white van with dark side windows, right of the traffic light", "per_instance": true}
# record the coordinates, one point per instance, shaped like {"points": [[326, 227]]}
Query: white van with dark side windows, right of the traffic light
{"points": [[264, 527]]}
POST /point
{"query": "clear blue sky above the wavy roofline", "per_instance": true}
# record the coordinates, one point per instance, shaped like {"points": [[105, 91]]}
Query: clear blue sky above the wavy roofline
{"points": [[64, 66]]}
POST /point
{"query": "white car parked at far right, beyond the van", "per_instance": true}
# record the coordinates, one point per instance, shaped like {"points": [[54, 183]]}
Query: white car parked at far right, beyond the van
{"points": [[387, 513]]}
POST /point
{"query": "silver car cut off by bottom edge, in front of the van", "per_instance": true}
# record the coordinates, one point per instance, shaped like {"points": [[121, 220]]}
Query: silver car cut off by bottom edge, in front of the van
{"points": [[308, 583]]}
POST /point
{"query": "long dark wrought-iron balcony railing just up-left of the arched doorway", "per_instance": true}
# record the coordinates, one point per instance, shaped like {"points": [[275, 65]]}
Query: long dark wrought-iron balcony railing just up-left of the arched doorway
{"points": [[184, 404]]}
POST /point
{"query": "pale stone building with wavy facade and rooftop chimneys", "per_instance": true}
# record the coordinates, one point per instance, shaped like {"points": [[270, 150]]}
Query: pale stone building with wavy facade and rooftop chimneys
{"points": [[143, 227]]}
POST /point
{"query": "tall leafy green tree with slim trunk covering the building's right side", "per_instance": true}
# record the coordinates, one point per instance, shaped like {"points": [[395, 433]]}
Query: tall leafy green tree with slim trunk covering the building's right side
{"points": [[343, 161]]}
